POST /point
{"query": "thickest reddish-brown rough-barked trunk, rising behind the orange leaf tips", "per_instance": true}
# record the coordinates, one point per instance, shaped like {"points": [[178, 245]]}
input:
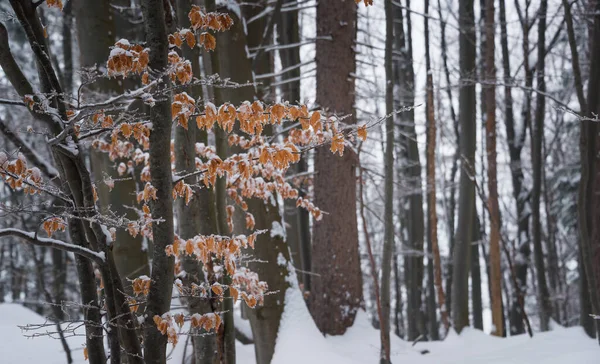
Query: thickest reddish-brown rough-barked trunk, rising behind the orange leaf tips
{"points": [[335, 239]]}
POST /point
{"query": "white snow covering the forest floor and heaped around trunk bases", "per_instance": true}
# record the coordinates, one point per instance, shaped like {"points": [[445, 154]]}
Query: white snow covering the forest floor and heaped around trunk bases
{"points": [[300, 343]]}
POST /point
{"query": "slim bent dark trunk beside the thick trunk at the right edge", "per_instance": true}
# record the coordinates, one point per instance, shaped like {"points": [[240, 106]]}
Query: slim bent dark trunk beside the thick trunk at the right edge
{"points": [[585, 304]]}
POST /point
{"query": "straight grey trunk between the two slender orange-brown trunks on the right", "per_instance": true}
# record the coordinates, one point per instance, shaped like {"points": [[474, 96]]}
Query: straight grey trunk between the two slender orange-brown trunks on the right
{"points": [[462, 245]]}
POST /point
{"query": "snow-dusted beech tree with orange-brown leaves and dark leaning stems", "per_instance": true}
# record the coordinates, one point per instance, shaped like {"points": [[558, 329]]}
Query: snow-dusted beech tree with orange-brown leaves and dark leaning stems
{"points": [[244, 182]]}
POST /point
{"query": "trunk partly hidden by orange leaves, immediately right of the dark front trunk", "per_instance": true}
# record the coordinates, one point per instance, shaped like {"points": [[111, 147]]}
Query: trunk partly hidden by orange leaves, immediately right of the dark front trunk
{"points": [[197, 217]]}
